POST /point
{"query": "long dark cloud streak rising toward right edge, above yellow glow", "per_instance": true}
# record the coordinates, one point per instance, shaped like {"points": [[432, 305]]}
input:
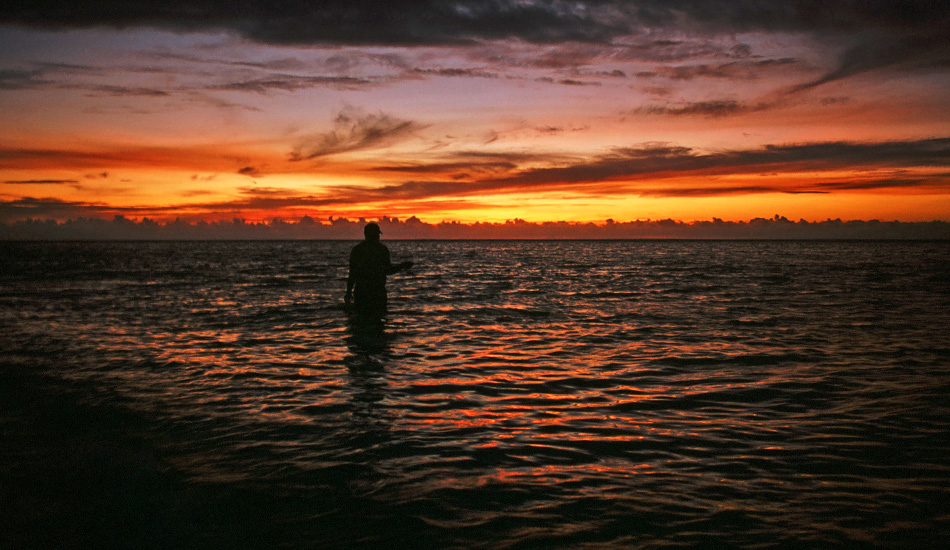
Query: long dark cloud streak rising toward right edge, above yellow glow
{"points": [[659, 161]]}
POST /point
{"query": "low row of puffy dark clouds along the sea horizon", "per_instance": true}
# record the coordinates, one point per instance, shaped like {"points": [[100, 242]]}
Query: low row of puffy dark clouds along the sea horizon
{"points": [[777, 227]]}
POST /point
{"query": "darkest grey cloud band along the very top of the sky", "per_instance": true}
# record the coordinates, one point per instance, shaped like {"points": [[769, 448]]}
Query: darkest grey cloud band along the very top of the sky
{"points": [[458, 21]]}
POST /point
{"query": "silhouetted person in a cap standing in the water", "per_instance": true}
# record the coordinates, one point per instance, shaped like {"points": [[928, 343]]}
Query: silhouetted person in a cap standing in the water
{"points": [[369, 265]]}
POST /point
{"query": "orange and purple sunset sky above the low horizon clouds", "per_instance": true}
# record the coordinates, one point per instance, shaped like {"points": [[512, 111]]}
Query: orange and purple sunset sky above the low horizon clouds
{"points": [[480, 111]]}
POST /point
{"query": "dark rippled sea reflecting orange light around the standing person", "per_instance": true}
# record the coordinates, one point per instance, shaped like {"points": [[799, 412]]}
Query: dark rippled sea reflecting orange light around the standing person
{"points": [[520, 394]]}
